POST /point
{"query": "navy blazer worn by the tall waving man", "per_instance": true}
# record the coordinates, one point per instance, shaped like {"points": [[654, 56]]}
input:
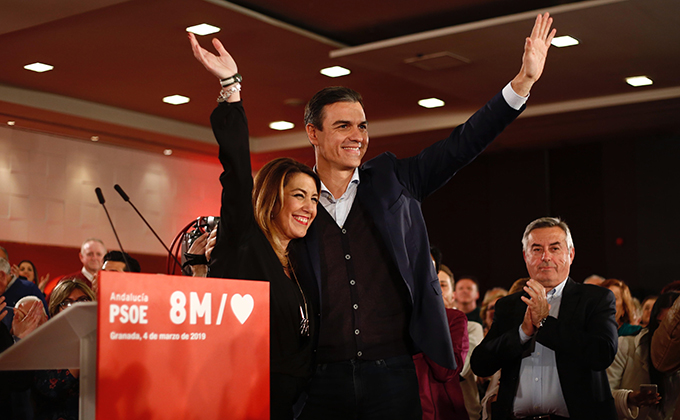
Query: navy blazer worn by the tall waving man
{"points": [[391, 191]]}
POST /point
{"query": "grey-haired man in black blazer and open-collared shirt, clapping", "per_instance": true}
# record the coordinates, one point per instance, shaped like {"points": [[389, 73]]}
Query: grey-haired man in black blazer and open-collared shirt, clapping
{"points": [[554, 341]]}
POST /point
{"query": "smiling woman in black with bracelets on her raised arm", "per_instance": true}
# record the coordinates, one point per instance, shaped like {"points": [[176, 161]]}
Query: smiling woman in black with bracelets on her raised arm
{"points": [[257, 224]]}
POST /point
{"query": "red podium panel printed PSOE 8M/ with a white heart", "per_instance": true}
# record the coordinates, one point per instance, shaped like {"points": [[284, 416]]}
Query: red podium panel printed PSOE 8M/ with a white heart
{"points": [[173, 347]]}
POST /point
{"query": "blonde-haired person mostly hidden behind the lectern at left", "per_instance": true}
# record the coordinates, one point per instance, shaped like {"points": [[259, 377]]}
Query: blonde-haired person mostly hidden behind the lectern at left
{"points": [[57, 391]]}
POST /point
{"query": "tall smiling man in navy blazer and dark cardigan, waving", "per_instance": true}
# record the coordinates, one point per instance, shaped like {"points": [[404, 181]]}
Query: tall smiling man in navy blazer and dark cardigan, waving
{"points": [[365, 260]]}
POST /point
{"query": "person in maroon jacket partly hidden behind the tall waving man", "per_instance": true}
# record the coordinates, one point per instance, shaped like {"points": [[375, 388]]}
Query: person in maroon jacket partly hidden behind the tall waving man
{"points": [[441, 396]]}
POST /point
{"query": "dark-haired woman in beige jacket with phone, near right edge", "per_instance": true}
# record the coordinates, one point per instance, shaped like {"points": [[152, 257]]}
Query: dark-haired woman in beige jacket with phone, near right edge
{"points": [[632, 367]]}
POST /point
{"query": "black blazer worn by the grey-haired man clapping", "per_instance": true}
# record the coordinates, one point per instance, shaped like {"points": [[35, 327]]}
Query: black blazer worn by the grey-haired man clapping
{"points": [[583, 337]]}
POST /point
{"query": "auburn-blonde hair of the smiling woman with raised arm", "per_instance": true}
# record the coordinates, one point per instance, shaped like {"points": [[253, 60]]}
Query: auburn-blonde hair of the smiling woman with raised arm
{"points": [[268, 196]]}
